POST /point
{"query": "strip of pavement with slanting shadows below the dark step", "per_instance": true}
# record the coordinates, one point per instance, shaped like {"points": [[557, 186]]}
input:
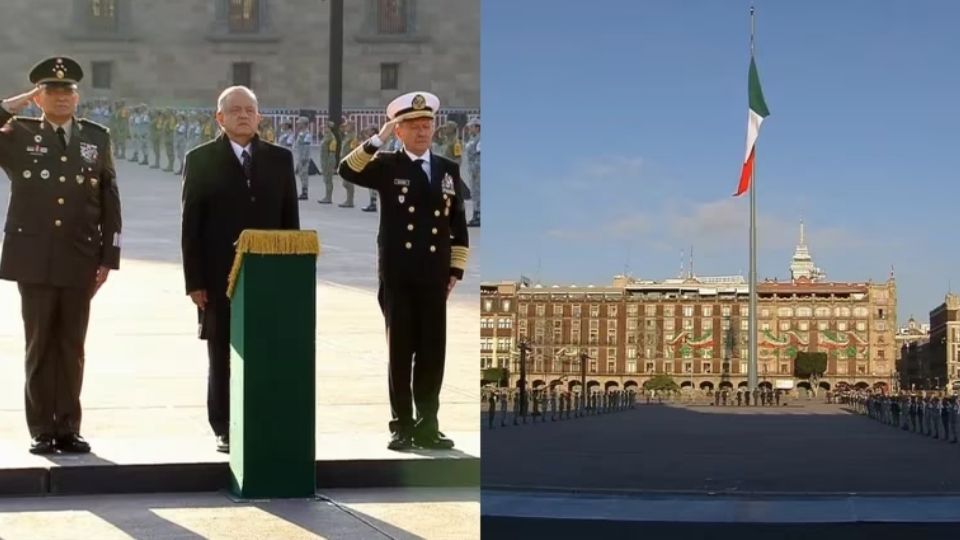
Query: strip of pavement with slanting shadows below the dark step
{"points": [[343, 514]]}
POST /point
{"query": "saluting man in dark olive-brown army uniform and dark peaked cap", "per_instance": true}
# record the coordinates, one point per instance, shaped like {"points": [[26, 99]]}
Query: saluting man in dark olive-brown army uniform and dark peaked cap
{"points": [[62, 238]]}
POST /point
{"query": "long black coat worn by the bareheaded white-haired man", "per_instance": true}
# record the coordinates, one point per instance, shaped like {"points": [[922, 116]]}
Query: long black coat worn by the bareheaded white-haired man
{"points": [[218, 205]]}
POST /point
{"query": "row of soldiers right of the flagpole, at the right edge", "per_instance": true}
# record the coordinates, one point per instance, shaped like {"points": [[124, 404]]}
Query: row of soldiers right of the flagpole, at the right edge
{"points": [[933, 415]]}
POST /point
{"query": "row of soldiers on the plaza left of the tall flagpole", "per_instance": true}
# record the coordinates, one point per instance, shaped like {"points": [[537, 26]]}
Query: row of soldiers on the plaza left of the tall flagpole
{"points": [[549, 405]]}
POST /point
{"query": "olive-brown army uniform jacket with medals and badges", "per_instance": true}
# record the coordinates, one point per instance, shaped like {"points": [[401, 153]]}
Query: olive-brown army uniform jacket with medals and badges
{"points": [[64, 215]]}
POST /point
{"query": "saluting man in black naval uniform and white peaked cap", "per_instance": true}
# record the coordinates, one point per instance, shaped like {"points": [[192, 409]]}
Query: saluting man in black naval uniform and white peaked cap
{"points": [[422, 253]]}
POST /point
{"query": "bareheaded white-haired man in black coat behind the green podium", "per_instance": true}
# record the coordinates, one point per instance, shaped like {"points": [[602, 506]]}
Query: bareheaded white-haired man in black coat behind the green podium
{"points": [[234, 182]]}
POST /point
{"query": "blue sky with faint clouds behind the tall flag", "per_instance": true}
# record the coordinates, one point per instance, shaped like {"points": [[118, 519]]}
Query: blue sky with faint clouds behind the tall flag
{"points": [[614, 132]]}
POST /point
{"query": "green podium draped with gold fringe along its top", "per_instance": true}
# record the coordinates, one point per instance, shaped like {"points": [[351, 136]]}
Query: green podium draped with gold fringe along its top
{"points": [[272, 288]]}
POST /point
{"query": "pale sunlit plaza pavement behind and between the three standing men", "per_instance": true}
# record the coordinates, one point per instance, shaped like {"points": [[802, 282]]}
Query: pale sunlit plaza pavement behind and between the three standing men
{"points": [[144, 392]]}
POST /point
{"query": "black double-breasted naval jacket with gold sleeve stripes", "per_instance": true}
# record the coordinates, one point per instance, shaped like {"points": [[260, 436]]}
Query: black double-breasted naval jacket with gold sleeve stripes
{"points": [[423, 235]]}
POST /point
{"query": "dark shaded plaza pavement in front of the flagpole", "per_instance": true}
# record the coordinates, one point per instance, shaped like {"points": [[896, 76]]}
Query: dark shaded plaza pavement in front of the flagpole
{"points": [[809, 447]]}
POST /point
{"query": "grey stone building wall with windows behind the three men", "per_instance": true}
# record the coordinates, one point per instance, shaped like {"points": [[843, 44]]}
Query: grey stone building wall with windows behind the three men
{"points": [[183, 53]]}
